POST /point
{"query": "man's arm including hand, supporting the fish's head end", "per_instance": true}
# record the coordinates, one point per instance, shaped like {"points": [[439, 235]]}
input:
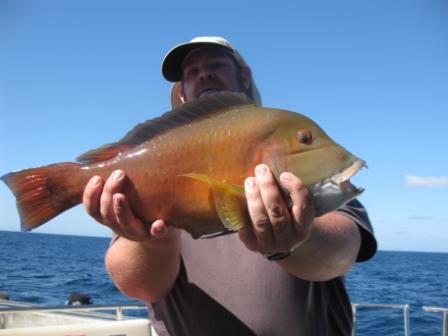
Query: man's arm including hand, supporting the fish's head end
{"points": [[326, 247]]}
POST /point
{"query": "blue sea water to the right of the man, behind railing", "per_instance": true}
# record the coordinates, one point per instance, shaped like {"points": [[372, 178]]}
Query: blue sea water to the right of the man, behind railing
{"points": [[414, 278]]}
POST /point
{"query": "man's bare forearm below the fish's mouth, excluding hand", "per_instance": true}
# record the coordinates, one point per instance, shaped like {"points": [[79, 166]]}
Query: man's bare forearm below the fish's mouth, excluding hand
{"points": [[330, 251]]}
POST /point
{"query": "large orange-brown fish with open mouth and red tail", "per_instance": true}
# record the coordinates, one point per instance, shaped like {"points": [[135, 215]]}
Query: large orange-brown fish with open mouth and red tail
{"points": [[188, 166]]}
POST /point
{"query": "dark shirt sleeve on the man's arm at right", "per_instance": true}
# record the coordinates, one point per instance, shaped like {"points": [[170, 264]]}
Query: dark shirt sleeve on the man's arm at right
{"points": [[356, 212]]}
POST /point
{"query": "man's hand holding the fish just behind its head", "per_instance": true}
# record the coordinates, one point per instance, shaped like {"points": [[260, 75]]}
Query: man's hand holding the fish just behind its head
{"points": [[274, 227]]}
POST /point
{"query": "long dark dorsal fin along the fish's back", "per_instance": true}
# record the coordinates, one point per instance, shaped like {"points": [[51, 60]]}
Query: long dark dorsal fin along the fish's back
{"points": [[186, 113]]}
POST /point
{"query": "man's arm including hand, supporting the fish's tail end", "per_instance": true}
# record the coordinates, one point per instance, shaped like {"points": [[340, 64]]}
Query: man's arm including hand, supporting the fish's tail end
{"points": [[143, 262]]}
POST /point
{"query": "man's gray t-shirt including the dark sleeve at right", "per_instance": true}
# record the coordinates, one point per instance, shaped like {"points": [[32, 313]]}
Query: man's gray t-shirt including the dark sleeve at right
{"points": [[225, 289]]}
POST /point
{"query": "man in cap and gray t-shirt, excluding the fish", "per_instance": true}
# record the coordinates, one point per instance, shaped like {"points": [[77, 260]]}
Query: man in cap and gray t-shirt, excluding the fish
{"points": [[281, 276]]}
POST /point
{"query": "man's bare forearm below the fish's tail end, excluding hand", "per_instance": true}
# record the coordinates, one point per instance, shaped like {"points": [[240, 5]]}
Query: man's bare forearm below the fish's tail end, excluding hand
{"points": [[145, 270]]}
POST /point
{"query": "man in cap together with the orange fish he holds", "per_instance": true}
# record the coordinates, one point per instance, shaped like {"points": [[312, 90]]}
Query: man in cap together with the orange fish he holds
{"points": [[273, 247]]}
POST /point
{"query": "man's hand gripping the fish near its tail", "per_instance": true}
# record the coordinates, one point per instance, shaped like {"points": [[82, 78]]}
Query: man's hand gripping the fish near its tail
{"points": [[105, 203]]}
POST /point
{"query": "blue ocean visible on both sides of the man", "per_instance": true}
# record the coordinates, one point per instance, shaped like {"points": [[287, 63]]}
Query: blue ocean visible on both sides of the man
{"points": [[45, 269]]}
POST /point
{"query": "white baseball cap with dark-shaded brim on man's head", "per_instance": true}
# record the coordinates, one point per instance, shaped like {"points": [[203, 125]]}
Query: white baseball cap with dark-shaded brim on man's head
{"points": [[172, 62]]}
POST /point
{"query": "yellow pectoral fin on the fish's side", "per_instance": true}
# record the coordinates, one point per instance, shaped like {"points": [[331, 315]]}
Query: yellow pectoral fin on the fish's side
{"points": [[229, 201]]}
